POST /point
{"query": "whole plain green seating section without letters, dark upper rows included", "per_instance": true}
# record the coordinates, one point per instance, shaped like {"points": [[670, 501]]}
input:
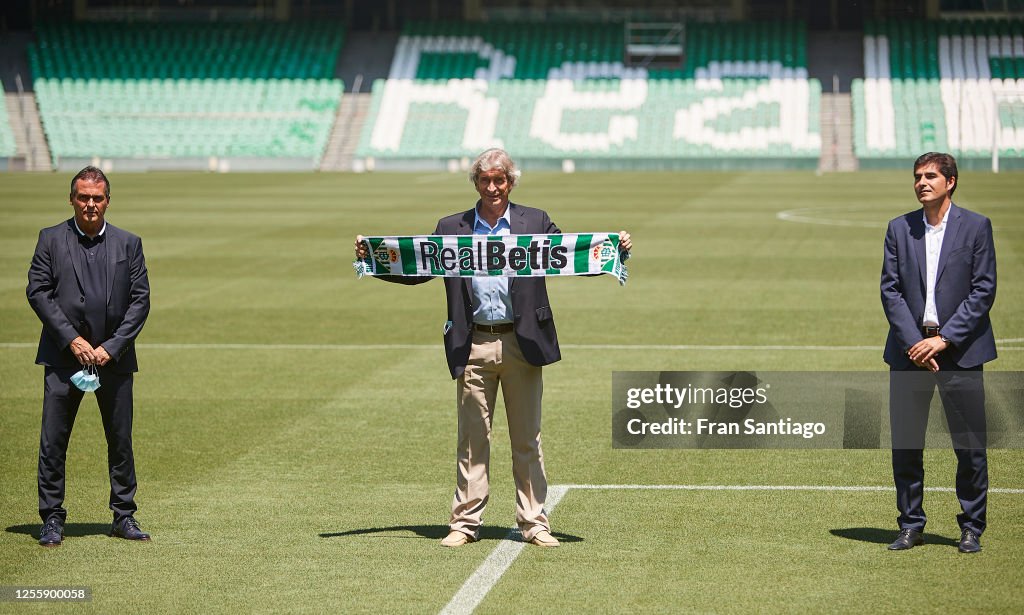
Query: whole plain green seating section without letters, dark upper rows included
{"points": [[188, 91]]}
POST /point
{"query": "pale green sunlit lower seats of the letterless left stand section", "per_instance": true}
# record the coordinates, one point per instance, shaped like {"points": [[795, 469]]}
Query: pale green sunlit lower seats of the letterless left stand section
{"points": [[172, 118]]}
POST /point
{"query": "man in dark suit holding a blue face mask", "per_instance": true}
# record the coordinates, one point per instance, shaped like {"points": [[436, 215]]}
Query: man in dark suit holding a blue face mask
{"points": [[90, 287]]}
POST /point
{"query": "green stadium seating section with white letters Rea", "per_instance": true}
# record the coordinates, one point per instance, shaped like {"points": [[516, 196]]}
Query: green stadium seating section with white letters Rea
{"points": [[562, 92]]}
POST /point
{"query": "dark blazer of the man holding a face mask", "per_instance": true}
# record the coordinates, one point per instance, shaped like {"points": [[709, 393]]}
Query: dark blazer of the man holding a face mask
{"points": [[58, 296]]}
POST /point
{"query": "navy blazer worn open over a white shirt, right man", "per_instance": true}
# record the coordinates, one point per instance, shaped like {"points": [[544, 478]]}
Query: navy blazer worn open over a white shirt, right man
{"points": [[965, 287]]}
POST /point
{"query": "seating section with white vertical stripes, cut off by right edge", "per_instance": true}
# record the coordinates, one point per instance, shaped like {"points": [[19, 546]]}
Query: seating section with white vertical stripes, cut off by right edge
{"points": [[956, 86]]}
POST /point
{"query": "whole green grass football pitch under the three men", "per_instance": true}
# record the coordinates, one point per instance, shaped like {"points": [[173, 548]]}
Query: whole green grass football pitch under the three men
{"points": [[279, 479]]}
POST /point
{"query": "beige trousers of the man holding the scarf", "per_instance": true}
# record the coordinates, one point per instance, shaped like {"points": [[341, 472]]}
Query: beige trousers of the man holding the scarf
{"points": [[497, 361]]}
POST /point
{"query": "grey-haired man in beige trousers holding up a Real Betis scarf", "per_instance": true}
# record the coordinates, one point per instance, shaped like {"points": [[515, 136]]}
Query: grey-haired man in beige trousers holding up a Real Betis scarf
{"points": [[500, 331]]}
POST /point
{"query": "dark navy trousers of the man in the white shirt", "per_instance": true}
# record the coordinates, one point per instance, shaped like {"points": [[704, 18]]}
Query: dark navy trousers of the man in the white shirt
{"points": [[963, 396]]}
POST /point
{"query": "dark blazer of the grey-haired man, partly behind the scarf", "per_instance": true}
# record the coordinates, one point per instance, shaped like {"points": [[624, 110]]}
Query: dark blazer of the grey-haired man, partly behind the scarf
{"points": [[535, 325]]}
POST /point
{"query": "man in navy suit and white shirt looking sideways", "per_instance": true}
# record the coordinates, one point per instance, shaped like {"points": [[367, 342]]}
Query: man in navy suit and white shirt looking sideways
{"points": [[938, 285]]}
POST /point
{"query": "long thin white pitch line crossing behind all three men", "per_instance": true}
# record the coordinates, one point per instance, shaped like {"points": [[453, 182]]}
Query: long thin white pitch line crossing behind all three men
{"points": [[663, 347]]}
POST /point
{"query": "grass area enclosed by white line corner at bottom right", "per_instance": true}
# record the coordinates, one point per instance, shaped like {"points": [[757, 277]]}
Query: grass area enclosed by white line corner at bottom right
{"points": [[758, 552]]}
